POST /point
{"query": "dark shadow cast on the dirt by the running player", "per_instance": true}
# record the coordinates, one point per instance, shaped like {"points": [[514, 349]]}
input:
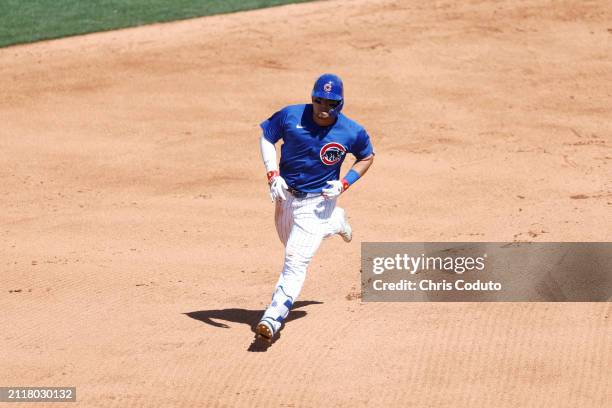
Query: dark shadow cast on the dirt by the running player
{"points": [[249, 317]]}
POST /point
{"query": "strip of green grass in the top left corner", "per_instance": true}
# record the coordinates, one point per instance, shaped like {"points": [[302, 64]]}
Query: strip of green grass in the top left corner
{"points": [[23, 21]]}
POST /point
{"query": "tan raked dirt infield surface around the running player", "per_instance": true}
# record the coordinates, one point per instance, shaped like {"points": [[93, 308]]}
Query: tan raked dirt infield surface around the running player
{"points": [[137, 239]]}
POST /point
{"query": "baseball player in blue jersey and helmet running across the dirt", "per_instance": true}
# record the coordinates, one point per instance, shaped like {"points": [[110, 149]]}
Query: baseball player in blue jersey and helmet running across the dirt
{"points": [[316, 138]]}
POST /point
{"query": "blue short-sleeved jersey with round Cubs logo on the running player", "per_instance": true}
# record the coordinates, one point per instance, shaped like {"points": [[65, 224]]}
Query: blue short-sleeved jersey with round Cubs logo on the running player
{"points": [[311, 154]]}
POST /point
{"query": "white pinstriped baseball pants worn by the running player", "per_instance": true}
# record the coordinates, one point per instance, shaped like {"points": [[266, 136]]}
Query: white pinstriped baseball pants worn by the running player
{"points": [[301, 223]]}
